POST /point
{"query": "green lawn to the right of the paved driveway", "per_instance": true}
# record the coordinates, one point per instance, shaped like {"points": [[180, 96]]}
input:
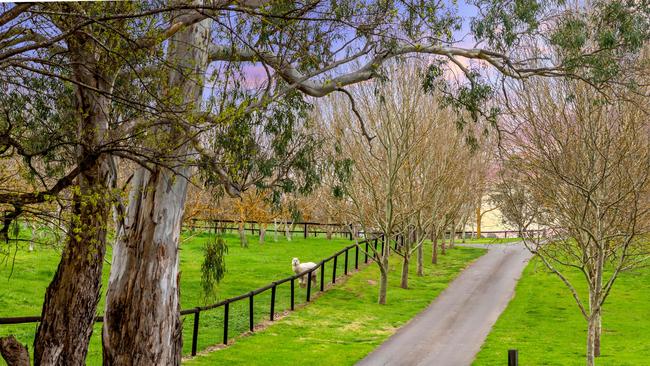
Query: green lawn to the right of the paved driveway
{"points": [[544, 323]]}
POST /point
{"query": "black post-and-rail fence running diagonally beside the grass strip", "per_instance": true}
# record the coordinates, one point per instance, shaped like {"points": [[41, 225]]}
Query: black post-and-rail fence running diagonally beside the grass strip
{"points": [[352, 257]]}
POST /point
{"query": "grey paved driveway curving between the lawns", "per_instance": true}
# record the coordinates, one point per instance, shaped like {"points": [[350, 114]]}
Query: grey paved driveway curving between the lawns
{"points": [[452, 329]]}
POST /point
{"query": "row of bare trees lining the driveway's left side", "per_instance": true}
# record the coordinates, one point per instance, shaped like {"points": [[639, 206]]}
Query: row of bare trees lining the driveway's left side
{"points": [[409, 171]]}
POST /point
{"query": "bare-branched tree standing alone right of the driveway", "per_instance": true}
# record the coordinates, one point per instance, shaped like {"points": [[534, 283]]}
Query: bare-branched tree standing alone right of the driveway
{"points": [[584, 163]]}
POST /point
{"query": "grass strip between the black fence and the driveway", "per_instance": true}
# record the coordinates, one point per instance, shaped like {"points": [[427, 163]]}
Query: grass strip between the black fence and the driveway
{"points": [[345, 323]]}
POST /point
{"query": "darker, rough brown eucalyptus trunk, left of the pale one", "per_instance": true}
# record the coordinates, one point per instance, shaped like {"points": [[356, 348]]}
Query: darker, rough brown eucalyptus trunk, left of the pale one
{"points": [[71, 298]]}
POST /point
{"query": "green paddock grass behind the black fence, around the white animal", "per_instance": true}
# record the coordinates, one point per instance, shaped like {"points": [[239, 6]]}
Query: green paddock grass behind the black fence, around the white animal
{"points": [[248, 269]]}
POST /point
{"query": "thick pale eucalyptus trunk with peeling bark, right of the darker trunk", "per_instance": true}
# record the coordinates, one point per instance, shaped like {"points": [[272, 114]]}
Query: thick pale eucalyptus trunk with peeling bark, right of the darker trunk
{"points": [[142, 321]]}
